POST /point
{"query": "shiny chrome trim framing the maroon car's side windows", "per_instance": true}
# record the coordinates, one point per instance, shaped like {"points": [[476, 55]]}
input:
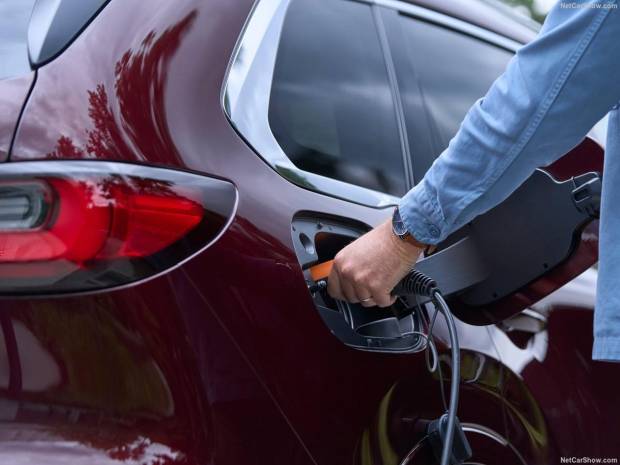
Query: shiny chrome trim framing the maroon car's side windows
{"points": [[247, 90]]}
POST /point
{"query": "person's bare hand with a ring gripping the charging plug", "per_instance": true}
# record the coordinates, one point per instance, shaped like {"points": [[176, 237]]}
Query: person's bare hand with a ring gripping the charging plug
{"points": [[368, 269]]}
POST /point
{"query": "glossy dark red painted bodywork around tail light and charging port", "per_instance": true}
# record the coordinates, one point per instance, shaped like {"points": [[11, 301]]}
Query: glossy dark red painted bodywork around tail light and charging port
{"points": [[224, 360]]}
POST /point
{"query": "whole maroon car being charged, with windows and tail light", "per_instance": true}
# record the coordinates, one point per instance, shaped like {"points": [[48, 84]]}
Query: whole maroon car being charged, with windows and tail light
{"points": [[170, 173]]}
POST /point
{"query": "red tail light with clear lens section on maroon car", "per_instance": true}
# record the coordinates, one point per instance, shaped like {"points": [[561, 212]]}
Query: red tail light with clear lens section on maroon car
{"points": [[78, 226]]}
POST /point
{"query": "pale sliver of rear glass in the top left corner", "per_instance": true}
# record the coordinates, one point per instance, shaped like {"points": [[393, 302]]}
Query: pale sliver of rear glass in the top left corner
{"points": [[14, 18]]}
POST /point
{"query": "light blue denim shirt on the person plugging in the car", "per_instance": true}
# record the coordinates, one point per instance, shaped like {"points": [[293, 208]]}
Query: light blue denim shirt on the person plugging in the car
{"points": [[552, 93]]}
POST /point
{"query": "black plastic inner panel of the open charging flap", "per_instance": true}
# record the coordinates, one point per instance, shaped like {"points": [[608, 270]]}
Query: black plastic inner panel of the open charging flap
{"points": [[533, 231]]}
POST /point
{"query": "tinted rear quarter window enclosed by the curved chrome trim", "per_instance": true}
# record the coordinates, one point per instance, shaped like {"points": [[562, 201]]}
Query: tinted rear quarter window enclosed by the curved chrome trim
{"points": [[331, 108]]}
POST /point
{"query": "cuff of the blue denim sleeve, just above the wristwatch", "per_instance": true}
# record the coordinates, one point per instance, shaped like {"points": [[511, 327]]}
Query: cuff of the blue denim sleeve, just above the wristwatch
{"points": [[422, 216]]}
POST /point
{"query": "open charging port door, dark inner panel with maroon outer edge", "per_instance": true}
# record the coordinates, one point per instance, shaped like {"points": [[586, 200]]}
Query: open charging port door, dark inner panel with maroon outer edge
{"points": [[534, 233]]}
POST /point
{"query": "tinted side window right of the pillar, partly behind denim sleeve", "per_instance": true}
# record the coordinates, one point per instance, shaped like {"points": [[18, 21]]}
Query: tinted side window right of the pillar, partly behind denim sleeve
{"points": [[449, 69]]}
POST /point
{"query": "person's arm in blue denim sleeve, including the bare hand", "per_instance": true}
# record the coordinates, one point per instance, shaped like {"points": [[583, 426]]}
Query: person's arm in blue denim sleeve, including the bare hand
{"points": [[552, 93]]}
